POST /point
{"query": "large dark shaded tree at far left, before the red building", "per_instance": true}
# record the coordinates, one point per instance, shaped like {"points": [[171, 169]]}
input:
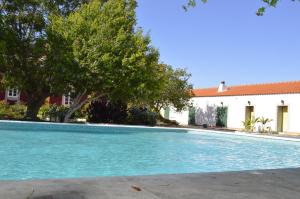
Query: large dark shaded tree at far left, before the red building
{"points": [[33, 57]]}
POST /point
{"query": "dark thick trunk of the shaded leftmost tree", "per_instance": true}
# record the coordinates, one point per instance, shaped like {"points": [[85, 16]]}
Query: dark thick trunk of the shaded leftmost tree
{"points": [[34, 104]]}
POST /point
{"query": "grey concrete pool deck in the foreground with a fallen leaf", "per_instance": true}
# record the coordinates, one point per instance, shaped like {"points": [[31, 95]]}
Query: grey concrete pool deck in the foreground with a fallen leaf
{"points": [[266, 184]]}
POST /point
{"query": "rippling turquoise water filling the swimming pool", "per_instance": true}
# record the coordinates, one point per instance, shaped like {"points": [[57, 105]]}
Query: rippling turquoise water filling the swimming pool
{"points": [[42, 151]]}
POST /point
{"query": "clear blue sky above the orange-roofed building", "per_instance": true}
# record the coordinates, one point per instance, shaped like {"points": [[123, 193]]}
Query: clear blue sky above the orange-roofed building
{"points": [[225, 40]]}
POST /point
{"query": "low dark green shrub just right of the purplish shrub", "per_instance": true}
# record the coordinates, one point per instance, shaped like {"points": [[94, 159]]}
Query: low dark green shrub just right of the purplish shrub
{"points": [[142, 116]]}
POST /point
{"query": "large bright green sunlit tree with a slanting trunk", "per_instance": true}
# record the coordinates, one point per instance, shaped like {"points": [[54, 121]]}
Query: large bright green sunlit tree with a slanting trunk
{"points": [[115, 59]]}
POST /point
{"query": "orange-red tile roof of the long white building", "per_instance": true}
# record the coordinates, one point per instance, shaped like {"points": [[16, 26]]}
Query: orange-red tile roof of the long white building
{"points": [[255, 89]]}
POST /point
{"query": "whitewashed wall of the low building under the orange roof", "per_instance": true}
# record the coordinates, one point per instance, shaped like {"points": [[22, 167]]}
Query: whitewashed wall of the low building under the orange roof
{"points": [[264, 106]]}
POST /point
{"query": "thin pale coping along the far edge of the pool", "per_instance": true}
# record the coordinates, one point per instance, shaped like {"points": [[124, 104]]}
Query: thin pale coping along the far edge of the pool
{"points": [[195, 131]]}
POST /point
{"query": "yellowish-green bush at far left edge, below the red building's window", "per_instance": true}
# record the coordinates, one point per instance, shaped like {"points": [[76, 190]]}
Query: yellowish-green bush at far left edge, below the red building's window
{"points": [[15, 111]]}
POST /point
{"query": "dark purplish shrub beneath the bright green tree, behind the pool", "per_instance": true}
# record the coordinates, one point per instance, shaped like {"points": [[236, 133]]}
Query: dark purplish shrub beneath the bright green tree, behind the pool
{"points": [[103, 111]]}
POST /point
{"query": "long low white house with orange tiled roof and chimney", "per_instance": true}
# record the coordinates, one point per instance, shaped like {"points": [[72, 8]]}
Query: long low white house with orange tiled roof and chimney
{"points": [[277, 101]]}
